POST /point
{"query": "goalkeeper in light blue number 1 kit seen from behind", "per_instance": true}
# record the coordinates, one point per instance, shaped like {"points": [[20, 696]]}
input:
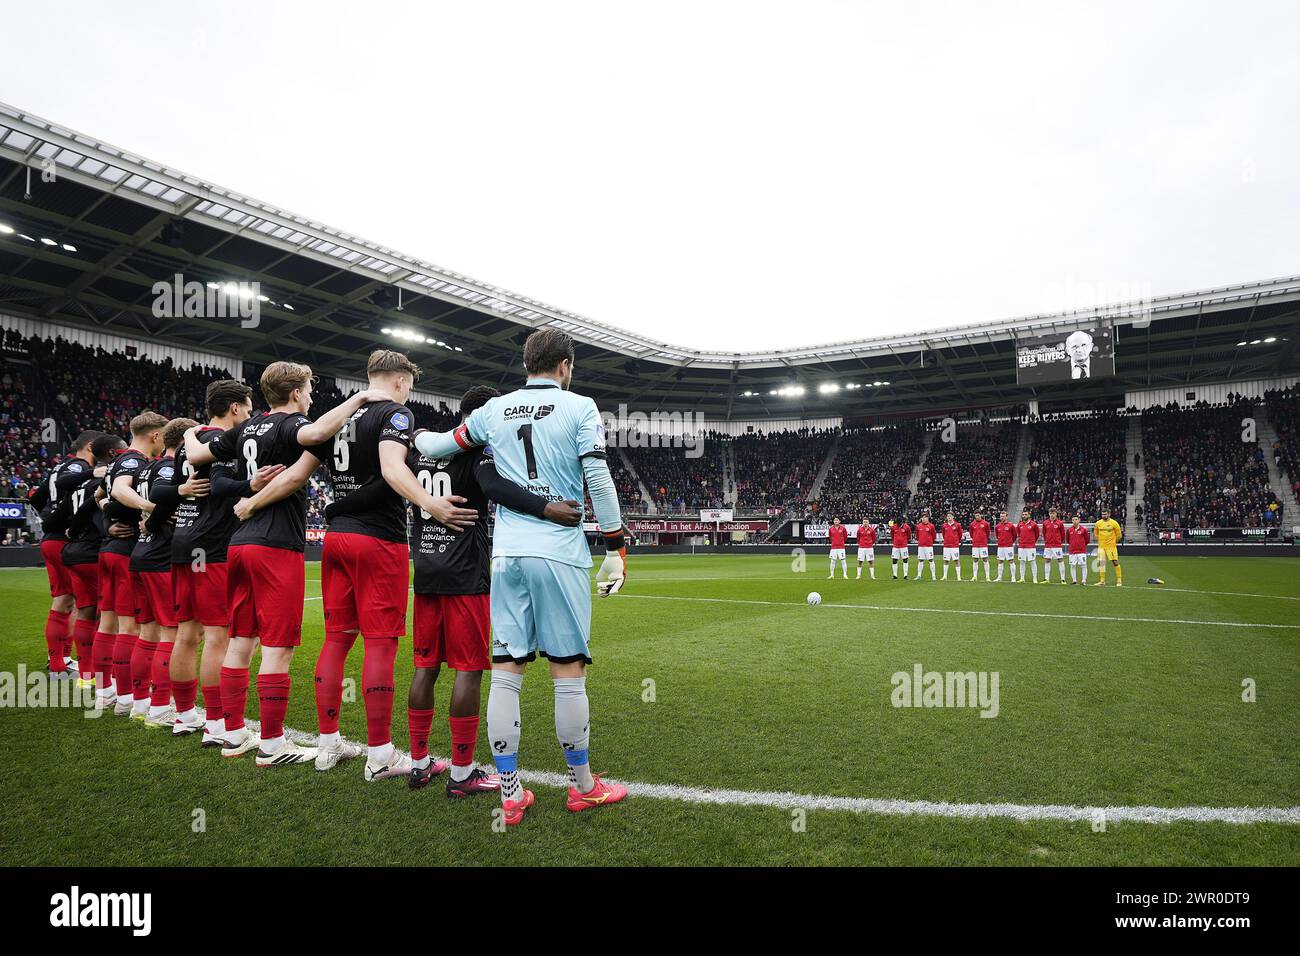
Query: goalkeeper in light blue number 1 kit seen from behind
{"points": [[547, 440]]}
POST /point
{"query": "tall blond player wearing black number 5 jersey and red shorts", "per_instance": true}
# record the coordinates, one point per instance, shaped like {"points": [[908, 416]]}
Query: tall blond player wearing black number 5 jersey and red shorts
{"points": [[366, 568]]}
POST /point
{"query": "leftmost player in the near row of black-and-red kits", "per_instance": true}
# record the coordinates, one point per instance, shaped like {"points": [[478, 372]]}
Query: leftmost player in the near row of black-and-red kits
{"points": [[53, 500]]}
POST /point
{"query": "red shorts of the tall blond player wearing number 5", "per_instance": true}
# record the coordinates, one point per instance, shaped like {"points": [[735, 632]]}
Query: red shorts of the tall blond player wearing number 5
{"points": [[365, 585]]}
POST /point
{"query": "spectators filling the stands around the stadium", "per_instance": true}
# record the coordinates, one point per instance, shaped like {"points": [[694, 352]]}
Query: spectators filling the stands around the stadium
{"points": [[1199, 471]]}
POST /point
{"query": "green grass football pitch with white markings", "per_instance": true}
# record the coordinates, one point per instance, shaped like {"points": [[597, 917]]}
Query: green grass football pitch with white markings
{"points": [[755, 729]]}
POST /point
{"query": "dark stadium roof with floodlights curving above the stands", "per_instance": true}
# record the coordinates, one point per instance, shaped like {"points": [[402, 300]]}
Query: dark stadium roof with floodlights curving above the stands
{"points": [[88, 249]]}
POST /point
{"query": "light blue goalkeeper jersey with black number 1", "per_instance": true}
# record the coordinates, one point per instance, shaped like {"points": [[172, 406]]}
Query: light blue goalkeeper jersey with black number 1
{"points": [[539, 436]]}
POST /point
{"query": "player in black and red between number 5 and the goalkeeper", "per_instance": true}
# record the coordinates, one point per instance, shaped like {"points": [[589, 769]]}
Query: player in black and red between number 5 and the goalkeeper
{"points": [[452, 599]]}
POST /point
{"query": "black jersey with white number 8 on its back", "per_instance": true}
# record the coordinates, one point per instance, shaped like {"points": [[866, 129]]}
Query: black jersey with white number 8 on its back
{"points": [[270, 439]]}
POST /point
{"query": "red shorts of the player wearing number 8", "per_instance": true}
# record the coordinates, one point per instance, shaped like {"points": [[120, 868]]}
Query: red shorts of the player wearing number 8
{"points": [[266, 590]]}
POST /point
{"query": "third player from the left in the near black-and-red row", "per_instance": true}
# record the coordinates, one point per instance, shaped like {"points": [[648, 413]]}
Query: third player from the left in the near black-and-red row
{"points": [[124, 505]]}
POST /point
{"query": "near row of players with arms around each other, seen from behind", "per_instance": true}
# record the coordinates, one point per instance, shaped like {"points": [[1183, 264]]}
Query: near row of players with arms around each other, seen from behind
{"points": [[196, 534]]}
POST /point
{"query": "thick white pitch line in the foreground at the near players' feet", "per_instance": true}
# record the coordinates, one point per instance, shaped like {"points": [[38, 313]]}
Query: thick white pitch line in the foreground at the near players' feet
{"points": [[883, 807]]}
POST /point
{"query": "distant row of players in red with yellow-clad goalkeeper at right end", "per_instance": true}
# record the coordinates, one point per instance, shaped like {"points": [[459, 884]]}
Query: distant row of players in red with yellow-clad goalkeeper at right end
{"points": [[1015, 542]]}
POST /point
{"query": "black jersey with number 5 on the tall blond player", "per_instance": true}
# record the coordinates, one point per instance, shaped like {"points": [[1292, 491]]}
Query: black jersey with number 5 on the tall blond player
{"points": [[354, 464]]}
